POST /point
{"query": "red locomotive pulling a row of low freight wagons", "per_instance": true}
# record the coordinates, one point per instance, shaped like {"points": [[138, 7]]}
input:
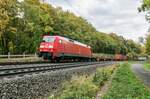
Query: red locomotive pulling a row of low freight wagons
{"points": [[58, 48]]}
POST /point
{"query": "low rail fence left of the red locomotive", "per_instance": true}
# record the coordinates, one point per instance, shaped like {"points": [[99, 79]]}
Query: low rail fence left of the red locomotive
{"points": [[23, 55]]}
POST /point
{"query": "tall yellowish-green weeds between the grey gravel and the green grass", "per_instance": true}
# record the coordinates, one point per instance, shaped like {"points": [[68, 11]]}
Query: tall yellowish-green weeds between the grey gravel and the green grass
{"points": [[85, 87]]}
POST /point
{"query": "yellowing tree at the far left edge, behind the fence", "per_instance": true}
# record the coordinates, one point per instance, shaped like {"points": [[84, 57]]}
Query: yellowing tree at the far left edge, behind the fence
{"points": [[8, 11]]}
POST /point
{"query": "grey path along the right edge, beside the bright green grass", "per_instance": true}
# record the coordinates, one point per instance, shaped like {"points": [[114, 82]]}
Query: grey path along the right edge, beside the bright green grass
{"points": [[142, 74]]}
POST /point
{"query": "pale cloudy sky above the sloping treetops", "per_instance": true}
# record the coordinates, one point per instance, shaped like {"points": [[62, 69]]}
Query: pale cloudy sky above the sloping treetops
{"points": [[119, 16]]}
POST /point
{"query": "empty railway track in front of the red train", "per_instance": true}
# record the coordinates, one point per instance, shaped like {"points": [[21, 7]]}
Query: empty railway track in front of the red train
{"points": [[21, 70]]}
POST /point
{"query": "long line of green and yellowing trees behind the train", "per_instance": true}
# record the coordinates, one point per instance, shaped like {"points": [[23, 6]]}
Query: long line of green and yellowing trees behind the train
{"points": [[22, 25]]}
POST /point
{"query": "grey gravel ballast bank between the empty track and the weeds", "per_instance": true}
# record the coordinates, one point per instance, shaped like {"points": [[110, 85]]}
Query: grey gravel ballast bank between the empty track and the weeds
{"points": [[39, 86]]}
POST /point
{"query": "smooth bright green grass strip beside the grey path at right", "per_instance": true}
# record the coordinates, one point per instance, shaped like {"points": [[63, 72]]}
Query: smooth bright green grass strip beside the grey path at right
{"points": [[125, 85]]}
